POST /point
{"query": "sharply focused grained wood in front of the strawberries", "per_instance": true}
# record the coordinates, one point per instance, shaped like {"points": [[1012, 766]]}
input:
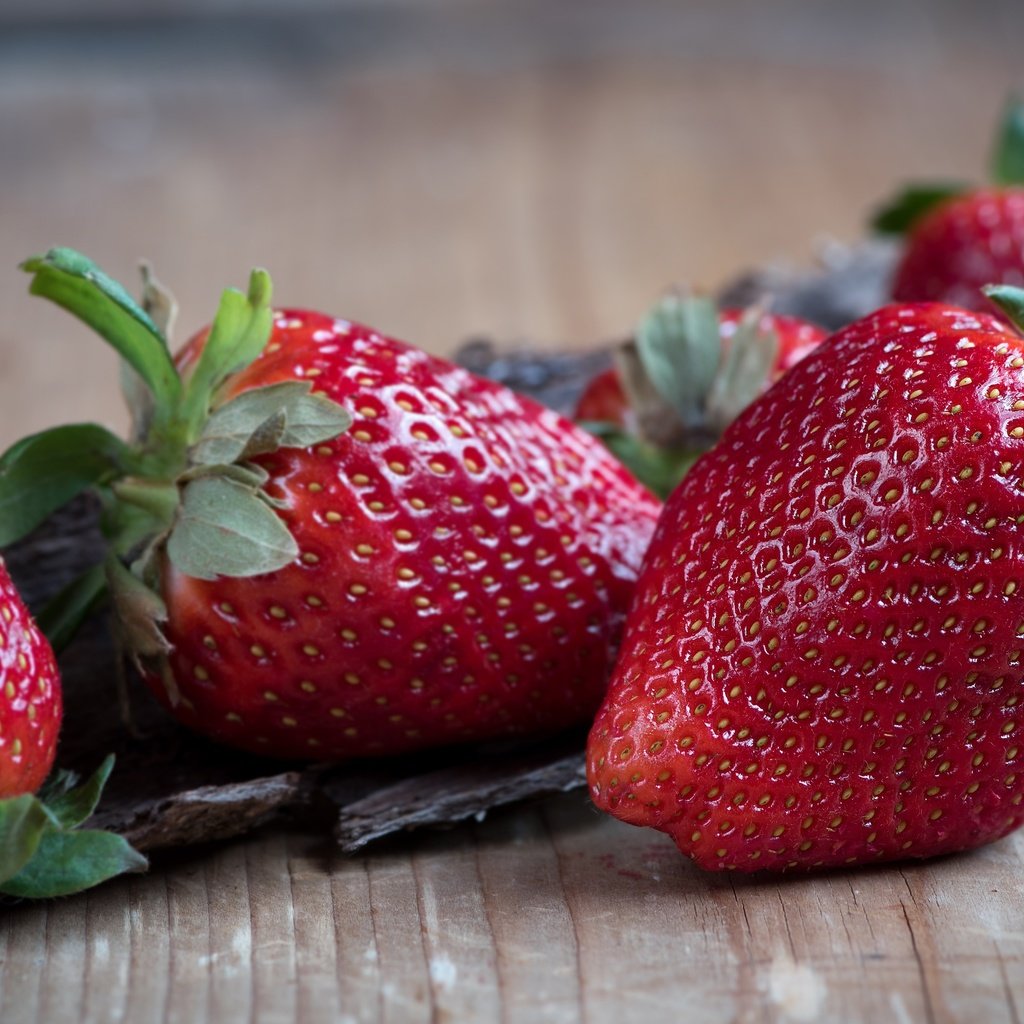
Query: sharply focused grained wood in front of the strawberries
{"points": [[547, 914]]}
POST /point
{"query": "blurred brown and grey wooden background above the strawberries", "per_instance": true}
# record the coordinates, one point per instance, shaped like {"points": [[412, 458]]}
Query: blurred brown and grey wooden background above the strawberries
{"points": [[529, 172]]}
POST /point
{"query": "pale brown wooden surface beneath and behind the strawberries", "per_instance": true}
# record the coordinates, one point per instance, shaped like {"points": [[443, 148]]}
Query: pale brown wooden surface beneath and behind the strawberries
{"points": [[444, 169]]}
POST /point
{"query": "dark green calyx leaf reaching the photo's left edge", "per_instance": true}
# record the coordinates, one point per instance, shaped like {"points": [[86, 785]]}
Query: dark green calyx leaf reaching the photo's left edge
{"points": [[44, 473]]}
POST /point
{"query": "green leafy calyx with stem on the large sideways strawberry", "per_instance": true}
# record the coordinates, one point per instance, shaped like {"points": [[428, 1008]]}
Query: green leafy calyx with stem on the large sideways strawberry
{"points": [[185, 484]]}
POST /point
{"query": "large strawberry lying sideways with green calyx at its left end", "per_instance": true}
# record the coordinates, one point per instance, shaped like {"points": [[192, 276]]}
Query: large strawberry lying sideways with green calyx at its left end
{"points": [[331, 544]]}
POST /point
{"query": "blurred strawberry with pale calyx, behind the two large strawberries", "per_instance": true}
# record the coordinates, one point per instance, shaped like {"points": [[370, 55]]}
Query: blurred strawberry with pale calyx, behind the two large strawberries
{"points": [[690, 370]]}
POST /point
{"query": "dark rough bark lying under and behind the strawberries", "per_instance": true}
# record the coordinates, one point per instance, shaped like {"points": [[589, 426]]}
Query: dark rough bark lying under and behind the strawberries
{"points": [[174, 788]]}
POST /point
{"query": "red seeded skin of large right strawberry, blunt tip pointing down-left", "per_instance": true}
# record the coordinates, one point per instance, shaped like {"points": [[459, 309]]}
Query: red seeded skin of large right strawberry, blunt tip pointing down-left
{"points": [[823, 664]]}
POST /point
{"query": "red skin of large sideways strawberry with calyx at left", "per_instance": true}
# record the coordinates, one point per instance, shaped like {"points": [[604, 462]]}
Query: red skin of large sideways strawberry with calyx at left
{"points": [[466, 562]]}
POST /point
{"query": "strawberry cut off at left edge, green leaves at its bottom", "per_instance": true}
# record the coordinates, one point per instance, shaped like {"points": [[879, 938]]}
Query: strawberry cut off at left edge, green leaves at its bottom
{"points": [[44, 854]]}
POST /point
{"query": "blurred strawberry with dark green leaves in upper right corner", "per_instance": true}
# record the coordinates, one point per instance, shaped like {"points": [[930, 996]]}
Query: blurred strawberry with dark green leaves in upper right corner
{"points": [[962, 237]]}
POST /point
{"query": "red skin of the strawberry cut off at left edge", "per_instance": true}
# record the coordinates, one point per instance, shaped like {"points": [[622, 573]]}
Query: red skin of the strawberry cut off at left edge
{"points": [[30, 697]]}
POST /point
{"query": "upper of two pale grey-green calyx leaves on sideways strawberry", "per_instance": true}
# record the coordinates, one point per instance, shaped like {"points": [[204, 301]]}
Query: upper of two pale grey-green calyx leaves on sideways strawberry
{"points": [[285, 415]]}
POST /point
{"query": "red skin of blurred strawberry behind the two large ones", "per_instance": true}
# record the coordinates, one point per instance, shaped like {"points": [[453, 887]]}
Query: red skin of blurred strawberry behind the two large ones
{"points": [[605, 401]]}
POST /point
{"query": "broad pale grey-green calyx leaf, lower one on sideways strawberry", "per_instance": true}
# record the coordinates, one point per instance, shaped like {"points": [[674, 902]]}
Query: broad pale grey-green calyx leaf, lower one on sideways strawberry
{"points": [[227, 529]]}
